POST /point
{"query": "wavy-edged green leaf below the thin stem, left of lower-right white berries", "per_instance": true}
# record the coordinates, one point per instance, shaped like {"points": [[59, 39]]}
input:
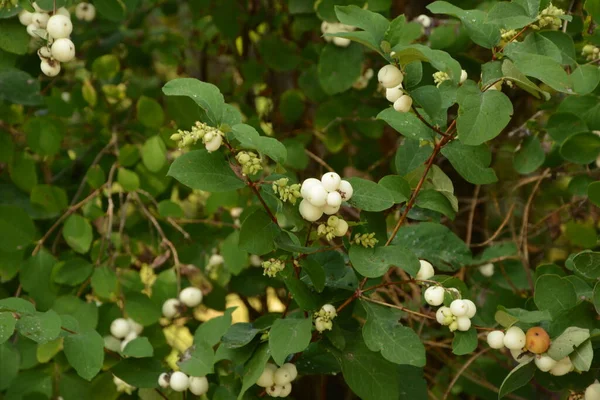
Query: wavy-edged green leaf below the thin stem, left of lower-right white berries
{"points": [[383, 332]]}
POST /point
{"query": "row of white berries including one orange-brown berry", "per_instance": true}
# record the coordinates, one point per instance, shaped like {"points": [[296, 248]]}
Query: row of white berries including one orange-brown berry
{"points": [[531, 345]]}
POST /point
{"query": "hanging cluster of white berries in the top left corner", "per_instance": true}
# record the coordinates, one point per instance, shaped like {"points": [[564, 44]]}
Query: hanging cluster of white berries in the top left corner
{"points": [[55, 29]]}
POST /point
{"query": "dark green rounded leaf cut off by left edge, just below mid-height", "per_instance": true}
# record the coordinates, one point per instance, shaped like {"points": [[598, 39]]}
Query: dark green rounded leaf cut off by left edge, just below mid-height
{"points": [[16, 228]]}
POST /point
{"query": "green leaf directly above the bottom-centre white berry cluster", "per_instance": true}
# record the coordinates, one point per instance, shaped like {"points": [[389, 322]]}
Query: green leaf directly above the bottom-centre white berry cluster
{"points": [[289, 336]]}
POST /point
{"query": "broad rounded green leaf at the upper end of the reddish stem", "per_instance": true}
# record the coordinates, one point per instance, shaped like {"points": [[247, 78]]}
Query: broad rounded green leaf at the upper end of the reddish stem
{"points": [[481, 116]]}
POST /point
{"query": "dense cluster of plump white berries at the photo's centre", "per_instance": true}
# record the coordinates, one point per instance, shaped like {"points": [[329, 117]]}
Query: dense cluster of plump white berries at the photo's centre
{"points": [[323, 196]]}
